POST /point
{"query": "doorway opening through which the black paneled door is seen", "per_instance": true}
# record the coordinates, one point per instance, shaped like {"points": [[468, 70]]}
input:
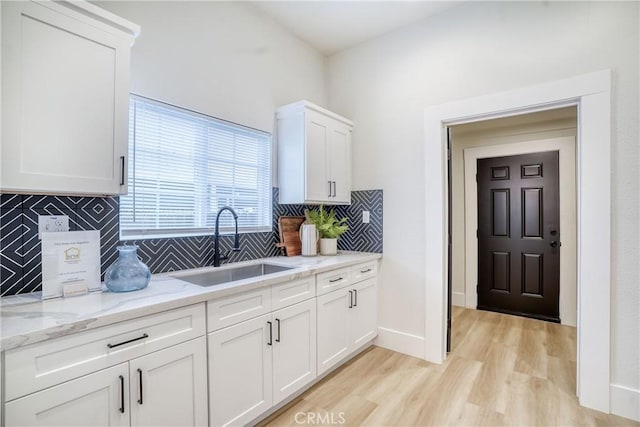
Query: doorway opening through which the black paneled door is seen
{"points": [[505, 164]]}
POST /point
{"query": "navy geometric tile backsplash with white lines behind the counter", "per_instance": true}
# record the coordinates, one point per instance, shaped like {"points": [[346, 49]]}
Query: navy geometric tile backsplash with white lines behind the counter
{"points": [[20, 252]]}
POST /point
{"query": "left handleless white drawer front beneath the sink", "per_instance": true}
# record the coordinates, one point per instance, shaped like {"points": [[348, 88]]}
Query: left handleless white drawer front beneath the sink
{"points": [[234, 309]]}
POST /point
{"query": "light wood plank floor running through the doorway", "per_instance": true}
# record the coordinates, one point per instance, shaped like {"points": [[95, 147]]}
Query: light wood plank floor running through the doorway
{"points": [[503, 370]]}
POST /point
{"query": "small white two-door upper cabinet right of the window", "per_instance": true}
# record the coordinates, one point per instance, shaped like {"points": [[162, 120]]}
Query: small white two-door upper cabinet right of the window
{"points": [[314, 155]]}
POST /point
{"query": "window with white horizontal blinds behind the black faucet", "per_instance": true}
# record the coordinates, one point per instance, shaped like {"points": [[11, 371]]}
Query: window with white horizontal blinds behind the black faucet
{"points": [[184, 166]]}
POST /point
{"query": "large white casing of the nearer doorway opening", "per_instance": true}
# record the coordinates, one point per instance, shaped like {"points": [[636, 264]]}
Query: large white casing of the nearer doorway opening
{"points": [[592, 95]]}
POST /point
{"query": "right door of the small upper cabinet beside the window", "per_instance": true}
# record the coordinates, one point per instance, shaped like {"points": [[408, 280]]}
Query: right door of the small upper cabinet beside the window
{"points": [[340, 163]]}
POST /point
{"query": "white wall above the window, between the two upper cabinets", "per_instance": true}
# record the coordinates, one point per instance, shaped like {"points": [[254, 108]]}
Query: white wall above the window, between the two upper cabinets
{"points": [[224, 59]]}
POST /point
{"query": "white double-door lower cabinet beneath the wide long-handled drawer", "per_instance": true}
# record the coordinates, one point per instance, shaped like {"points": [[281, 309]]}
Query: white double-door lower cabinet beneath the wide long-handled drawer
{"points": [[165, 388]]}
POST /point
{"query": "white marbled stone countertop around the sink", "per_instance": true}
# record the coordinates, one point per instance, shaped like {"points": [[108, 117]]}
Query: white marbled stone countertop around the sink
{"points": [[26, 319]]}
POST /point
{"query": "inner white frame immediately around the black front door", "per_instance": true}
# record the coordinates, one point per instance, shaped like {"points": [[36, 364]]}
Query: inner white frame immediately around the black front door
{"points": [[565, 145]]}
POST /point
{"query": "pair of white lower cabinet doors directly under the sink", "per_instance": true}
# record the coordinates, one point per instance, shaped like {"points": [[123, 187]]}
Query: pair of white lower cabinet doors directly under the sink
{"points": [[258, 363]]}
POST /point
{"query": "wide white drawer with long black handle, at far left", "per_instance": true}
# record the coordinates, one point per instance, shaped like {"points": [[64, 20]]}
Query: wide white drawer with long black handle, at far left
{"points": [[45, 364]]}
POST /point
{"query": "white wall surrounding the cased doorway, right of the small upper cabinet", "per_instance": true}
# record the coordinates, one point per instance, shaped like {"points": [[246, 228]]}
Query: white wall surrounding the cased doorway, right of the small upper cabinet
{"points": [[478, 48]]}
